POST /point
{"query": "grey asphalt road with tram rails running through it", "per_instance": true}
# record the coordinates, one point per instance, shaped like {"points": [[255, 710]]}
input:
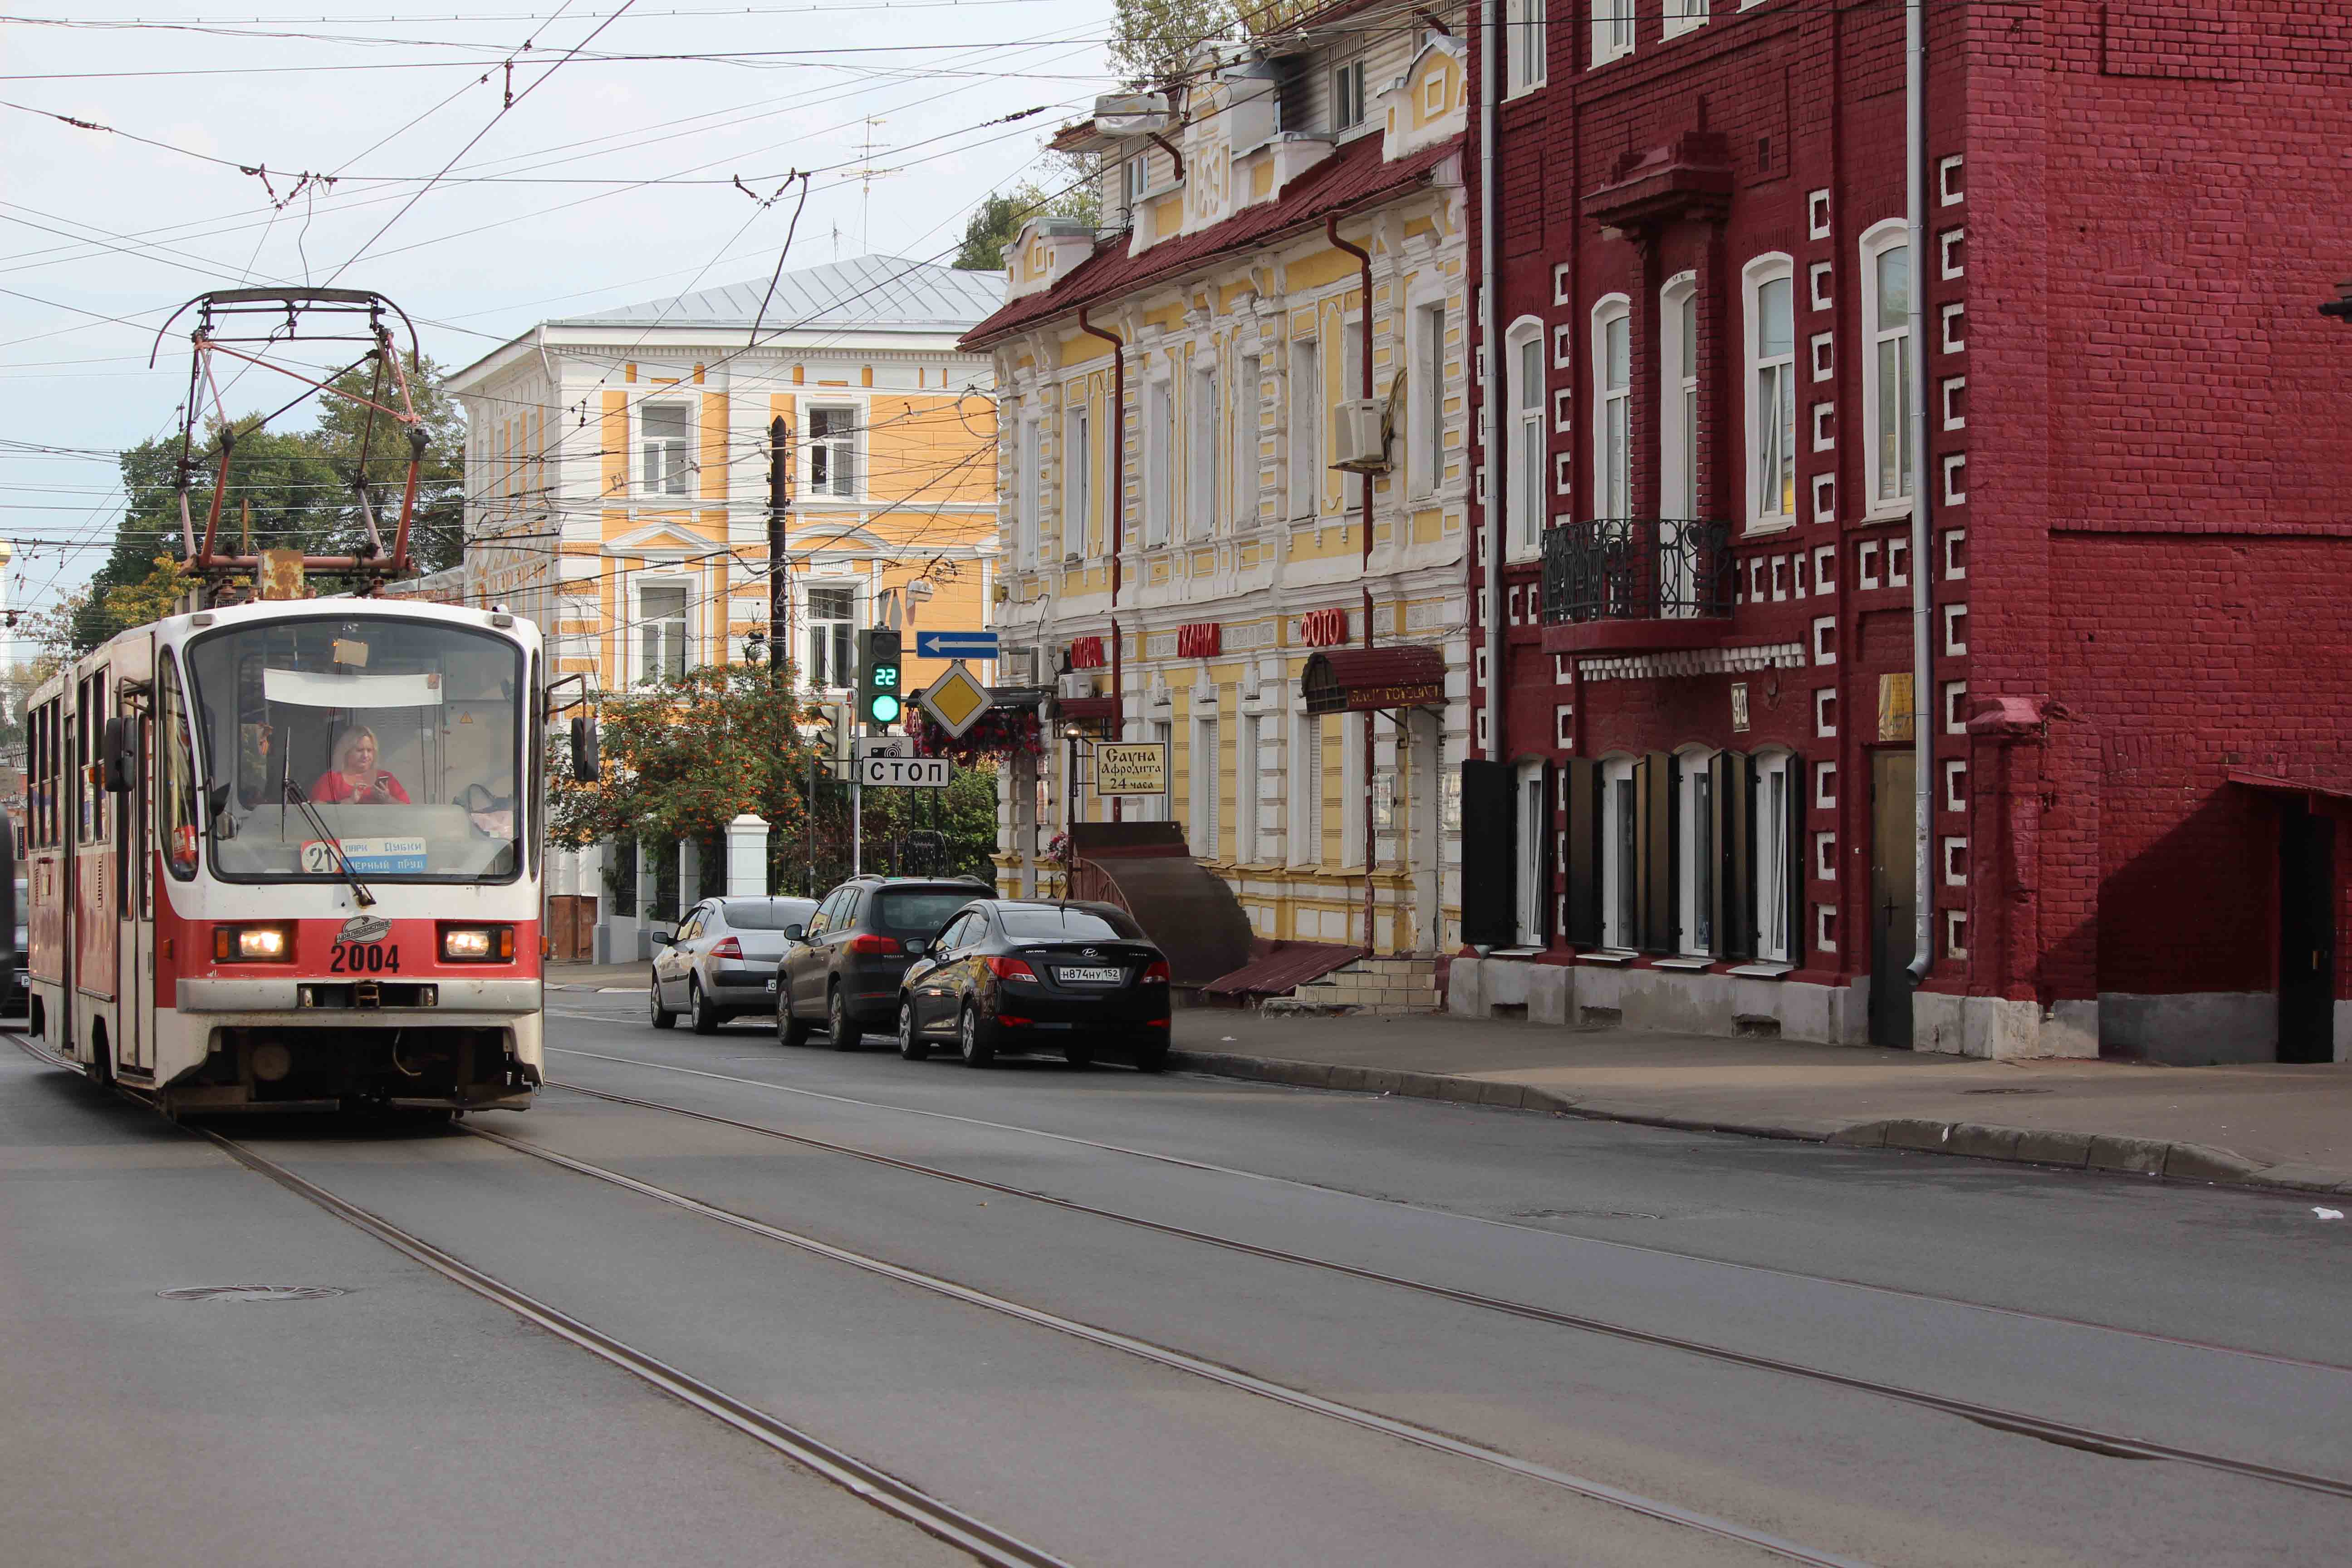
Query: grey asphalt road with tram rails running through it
{"points": [[1135, 1320]]}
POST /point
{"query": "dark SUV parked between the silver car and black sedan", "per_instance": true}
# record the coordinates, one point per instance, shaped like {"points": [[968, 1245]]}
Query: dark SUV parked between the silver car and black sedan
{"points": [[848, 963]]}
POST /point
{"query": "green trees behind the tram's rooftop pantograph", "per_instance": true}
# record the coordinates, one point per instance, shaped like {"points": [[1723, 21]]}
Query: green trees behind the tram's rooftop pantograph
{"points": [[293, 485]]}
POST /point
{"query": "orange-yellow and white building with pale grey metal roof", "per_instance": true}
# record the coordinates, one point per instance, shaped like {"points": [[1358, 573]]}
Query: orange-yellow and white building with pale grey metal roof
{"points": [[617, 478]]}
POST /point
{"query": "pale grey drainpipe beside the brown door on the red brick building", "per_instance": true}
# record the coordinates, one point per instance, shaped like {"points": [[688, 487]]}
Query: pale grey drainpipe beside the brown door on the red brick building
{"points": [[1923, 608]]}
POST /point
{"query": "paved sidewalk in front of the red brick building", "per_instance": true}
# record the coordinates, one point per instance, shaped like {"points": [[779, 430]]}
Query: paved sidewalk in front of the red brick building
{"points": [[2264, 1125]]}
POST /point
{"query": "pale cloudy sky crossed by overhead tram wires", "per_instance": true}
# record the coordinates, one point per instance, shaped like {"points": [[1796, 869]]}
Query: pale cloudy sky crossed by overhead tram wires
{"points": [[483, 163]]}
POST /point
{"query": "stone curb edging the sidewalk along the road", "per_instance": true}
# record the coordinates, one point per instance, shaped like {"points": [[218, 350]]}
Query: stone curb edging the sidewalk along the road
{"points": [[2191, 1162]]}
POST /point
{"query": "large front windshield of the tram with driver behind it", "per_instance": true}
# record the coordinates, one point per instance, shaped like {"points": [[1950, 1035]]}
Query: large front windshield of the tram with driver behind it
{"points": [[401, 737]]}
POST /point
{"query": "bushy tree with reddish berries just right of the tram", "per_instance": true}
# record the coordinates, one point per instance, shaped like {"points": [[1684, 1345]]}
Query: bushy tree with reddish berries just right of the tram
{"points": [[688, 756]]}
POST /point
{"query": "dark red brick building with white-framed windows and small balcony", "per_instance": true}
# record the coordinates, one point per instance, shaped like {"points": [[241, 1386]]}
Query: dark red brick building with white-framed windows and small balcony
{"points": [[2139, 492]]}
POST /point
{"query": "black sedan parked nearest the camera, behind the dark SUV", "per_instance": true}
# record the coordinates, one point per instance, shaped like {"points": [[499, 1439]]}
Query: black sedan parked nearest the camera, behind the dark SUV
{"points": [[1038, 977]]}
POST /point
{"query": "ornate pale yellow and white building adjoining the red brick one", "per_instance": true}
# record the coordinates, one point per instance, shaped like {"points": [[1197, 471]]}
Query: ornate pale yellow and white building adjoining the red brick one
{"points": [[1180, 403]]}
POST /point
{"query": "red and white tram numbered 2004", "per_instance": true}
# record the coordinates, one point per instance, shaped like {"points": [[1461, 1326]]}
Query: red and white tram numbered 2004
{"points": [[290, 855]]}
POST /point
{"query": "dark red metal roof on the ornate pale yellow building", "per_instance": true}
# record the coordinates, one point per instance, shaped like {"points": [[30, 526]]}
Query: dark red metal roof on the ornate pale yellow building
{"points": [[1354, 177]]}
